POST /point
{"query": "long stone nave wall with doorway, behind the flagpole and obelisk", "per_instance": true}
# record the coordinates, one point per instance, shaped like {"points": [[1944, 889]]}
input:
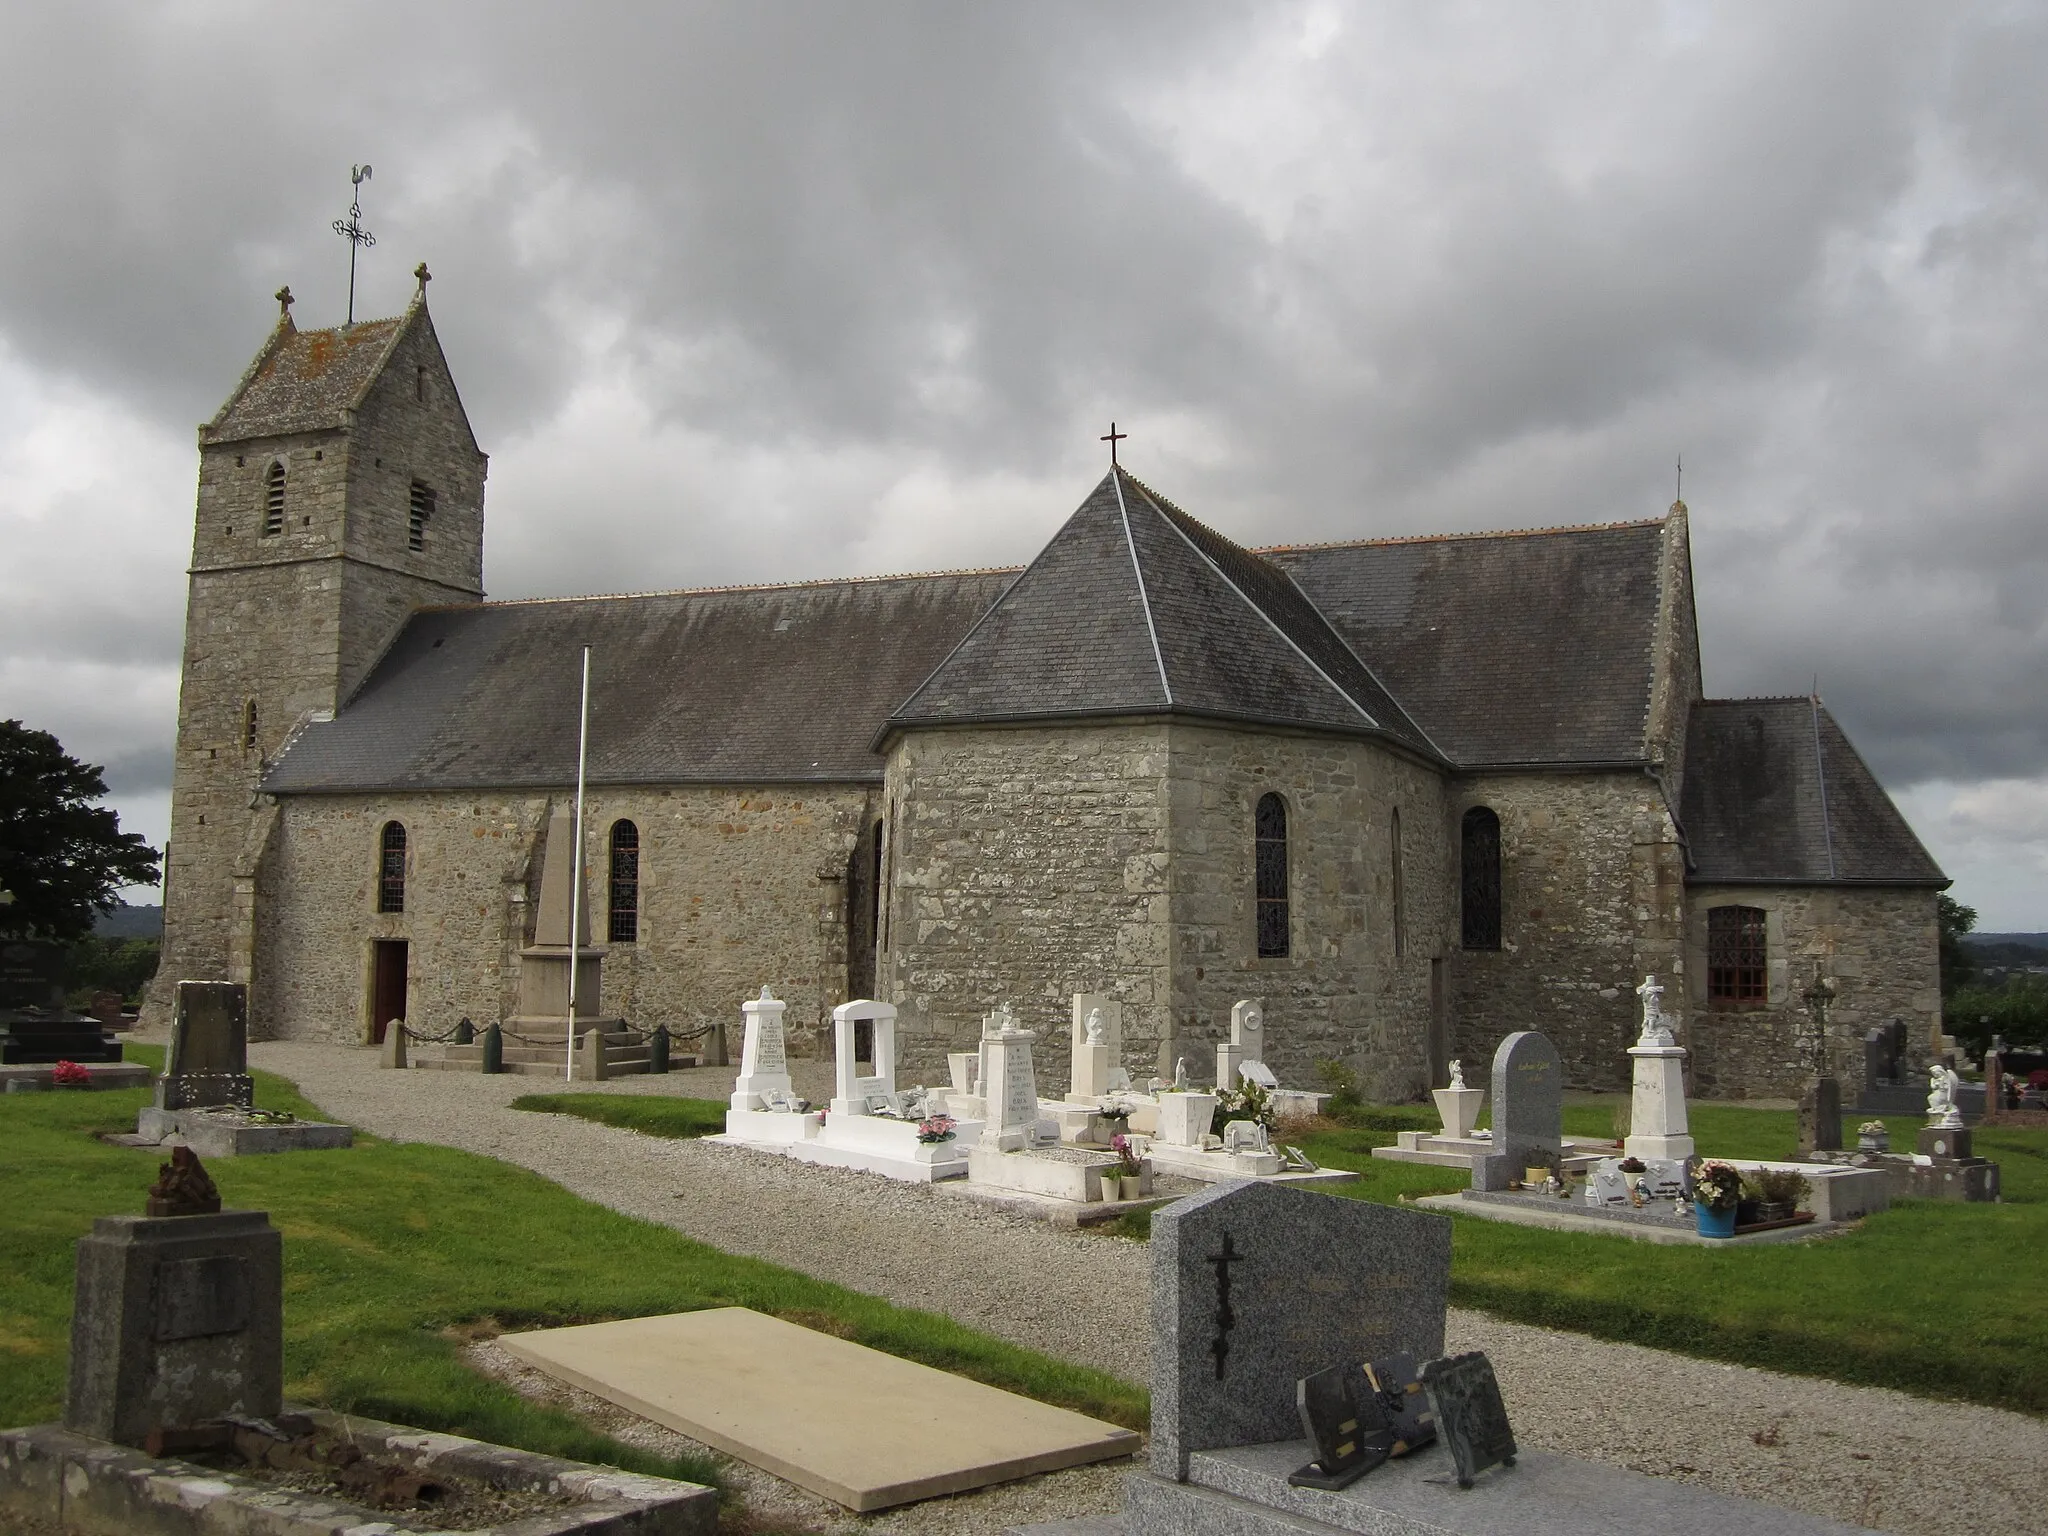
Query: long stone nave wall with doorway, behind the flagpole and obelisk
{"points": [[738, 888]]}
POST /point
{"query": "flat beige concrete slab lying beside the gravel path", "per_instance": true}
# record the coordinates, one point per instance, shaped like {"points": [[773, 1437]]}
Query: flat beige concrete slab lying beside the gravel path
{"points": [[853, 1424]]}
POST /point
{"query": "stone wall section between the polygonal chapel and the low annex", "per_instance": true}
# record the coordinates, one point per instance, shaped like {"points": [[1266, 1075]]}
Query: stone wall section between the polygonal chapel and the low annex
{"points": [[1592, 900]]}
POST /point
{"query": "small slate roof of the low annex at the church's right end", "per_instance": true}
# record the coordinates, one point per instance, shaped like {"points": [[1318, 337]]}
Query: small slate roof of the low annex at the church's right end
{"points": [[1775, 794]]}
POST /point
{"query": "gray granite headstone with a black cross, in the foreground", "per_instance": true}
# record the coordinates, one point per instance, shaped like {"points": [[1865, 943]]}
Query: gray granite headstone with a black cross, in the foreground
{"points": [[1256, 1287]]}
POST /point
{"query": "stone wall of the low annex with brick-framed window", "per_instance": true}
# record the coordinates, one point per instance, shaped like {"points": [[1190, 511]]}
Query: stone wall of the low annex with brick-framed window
{"points": [[1877, 945]]}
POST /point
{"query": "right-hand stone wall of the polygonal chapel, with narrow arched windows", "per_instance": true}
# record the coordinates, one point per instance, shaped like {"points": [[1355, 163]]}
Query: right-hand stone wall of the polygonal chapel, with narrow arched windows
{"points": [[1340, 992]]}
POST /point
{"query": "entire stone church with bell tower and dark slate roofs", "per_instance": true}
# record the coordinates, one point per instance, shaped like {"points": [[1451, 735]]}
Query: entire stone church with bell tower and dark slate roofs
{"points": [[1414, 794]]}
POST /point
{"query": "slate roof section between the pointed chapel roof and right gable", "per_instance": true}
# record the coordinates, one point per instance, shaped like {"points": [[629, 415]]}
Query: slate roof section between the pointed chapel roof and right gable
{"points": [[1506, 648]]}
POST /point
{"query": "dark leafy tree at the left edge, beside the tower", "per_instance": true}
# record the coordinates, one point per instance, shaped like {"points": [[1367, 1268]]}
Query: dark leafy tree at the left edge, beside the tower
{"points": [[62, 859]]}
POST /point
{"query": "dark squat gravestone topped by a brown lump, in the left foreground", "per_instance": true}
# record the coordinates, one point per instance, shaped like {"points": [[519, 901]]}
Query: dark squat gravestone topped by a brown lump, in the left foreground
{"points": [[177, 1320]]}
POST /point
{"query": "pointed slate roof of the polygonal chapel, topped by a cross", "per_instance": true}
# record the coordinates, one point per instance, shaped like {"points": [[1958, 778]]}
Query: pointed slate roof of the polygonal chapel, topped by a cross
{"points": [[1136, 607]]}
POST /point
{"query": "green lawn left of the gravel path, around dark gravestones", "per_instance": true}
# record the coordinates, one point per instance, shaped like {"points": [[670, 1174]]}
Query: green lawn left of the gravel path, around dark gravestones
{"points": [[394, 1252]]}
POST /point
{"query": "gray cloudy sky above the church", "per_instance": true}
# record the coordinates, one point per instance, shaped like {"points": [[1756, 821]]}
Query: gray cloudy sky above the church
{"points": [[751, 292]]}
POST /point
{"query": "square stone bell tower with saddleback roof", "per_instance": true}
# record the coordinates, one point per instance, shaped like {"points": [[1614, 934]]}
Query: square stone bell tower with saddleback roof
{"points": [[339, 490]]}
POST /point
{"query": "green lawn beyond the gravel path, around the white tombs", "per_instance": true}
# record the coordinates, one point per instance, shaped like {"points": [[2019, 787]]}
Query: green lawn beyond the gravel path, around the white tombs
{"points": [[1930, 1297]]}
